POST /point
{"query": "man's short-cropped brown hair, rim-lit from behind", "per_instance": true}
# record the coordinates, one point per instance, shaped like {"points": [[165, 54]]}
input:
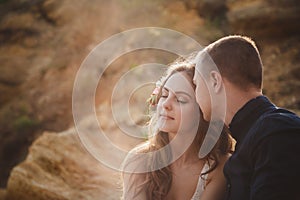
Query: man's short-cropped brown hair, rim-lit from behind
{"points": [[238, 60]]}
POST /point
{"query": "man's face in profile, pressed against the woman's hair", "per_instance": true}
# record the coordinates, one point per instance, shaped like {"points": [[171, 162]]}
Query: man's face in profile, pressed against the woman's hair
{"points": [[202, 93]]}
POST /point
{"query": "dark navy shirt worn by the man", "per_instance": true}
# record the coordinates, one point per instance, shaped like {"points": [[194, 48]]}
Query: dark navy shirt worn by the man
{"points": [[266, 162]]}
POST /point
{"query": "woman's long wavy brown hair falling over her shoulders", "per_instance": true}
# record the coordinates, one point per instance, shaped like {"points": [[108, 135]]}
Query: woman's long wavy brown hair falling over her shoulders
{"points": [[158, 182]]}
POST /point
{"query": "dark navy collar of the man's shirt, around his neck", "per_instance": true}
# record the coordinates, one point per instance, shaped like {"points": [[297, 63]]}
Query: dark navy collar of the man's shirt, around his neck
{"points": [[247, 115]]}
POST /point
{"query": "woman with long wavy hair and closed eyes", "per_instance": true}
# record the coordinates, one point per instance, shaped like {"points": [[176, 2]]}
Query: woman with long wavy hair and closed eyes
{"points": [[176, 124]]}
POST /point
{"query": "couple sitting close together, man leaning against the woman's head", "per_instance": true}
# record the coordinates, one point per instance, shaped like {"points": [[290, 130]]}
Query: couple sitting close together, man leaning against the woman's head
{"points": [[221, 82]]}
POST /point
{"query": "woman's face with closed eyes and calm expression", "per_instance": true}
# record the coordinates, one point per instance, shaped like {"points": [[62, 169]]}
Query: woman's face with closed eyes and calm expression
{"points": [[177, 107]]}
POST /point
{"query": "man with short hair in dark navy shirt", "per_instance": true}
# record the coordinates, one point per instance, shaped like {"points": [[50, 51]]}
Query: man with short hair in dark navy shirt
{"points": [[266, 161]]}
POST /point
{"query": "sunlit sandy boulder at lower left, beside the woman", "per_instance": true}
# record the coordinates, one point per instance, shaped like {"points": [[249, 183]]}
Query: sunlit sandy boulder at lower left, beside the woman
{"points": [[58, 167]]}
